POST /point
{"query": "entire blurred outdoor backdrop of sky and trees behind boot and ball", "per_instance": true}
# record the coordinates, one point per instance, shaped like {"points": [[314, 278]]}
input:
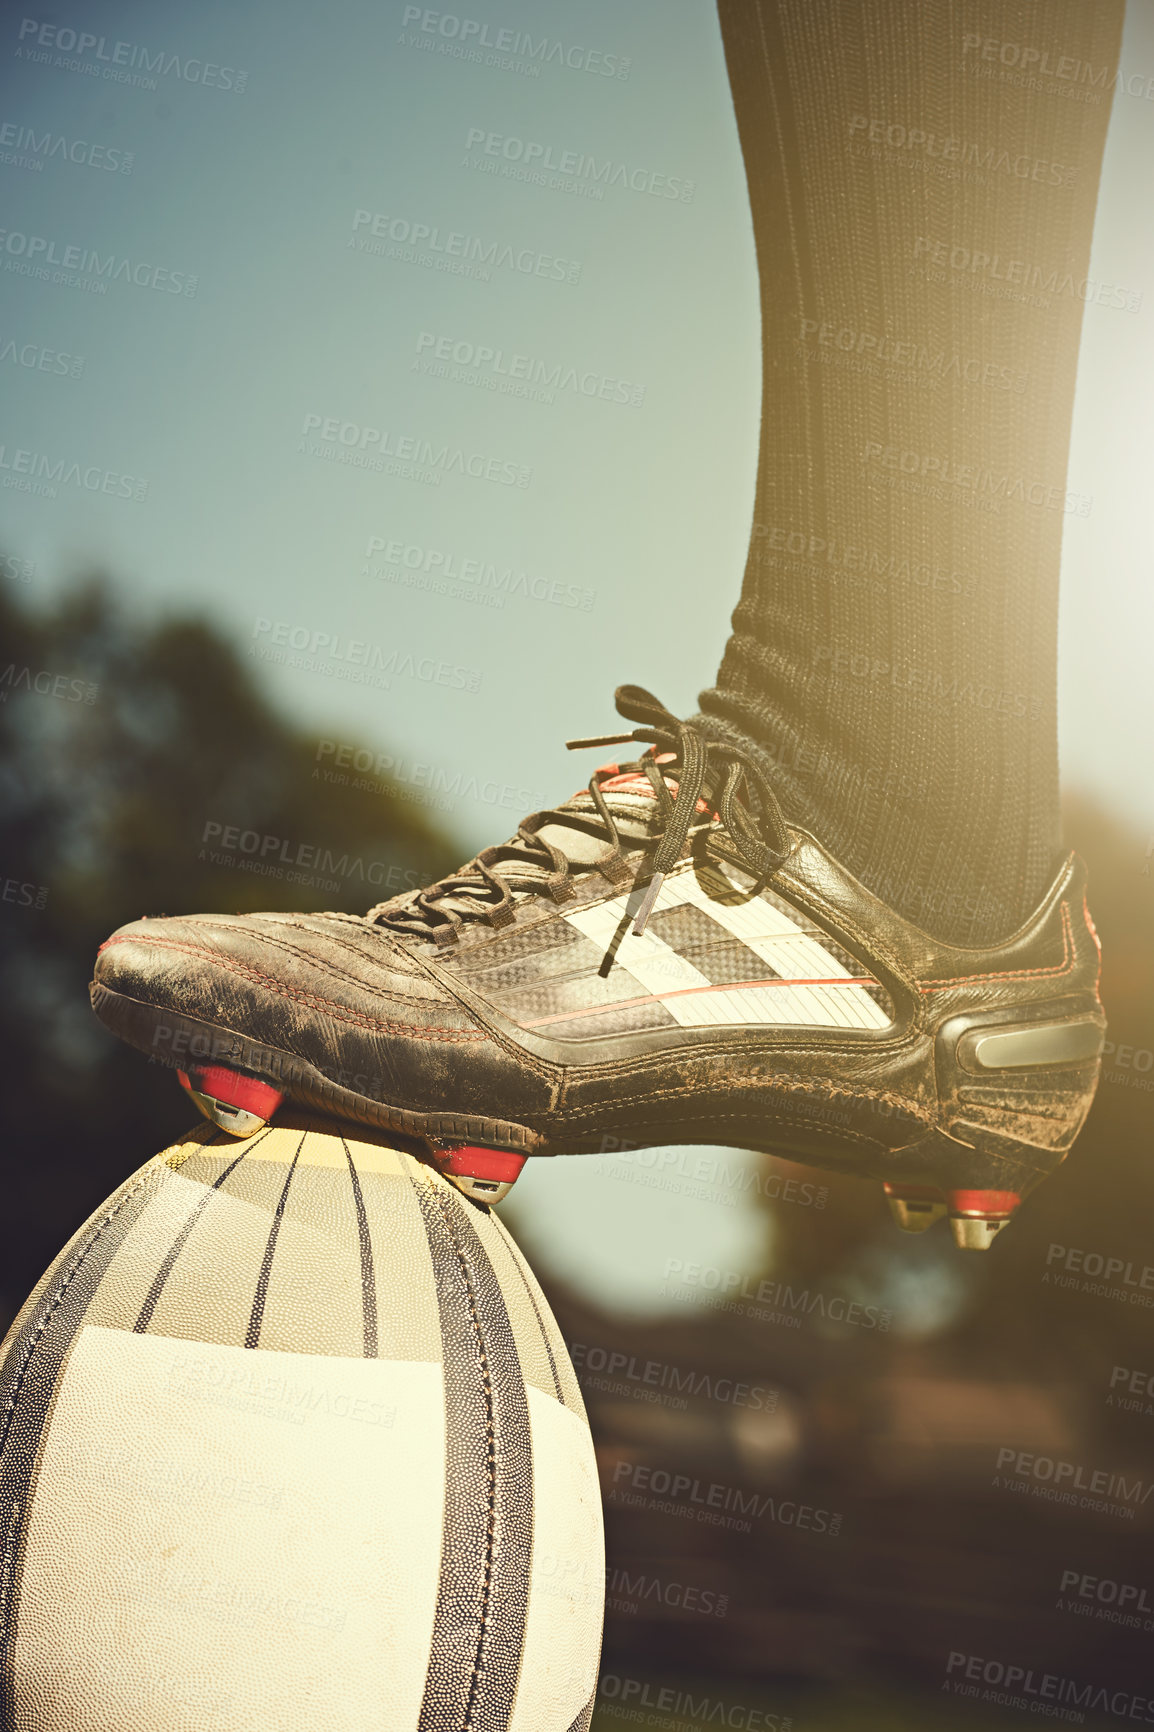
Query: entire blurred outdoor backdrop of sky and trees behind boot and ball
{"points": [[287, 546]]}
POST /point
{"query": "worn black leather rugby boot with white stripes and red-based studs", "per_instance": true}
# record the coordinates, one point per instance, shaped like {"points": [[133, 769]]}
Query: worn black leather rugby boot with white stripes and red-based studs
{"points": [[659, 960]]}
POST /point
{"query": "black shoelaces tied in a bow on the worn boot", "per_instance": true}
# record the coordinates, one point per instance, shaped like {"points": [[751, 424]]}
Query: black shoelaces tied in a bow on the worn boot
{"points": [[484, 888]]}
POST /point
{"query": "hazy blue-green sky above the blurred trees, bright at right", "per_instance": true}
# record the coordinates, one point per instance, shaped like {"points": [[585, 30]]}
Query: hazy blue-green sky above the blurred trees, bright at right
{"points": [[451, 451]]}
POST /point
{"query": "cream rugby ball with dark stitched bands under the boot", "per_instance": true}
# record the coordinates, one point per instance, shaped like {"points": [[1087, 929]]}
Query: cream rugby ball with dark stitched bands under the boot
{"points": [[290, 1438]]}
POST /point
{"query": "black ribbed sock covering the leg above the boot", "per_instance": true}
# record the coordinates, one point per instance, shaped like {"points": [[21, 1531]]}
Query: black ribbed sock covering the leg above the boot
{"points": [[923, 184]]}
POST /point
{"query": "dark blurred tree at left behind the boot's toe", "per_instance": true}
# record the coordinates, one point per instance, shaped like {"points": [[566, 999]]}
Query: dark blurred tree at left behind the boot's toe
{"points": [[120, 742]]}
